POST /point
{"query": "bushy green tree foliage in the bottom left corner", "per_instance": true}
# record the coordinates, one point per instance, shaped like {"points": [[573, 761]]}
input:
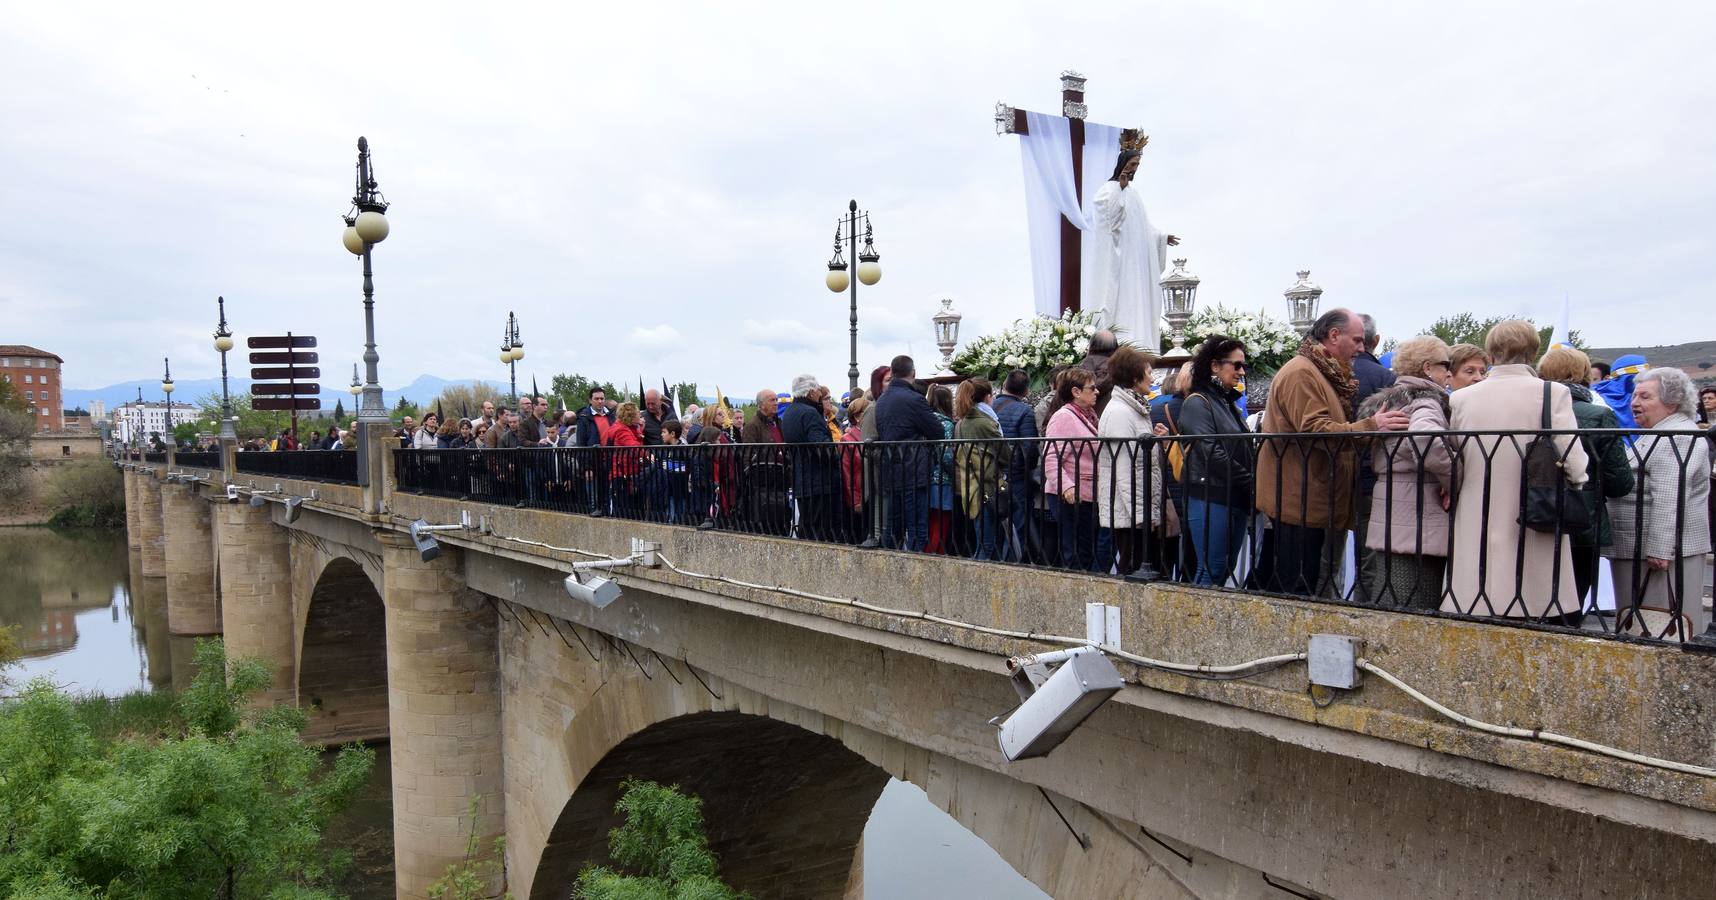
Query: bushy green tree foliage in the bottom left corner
{"points": [[231, 808]]}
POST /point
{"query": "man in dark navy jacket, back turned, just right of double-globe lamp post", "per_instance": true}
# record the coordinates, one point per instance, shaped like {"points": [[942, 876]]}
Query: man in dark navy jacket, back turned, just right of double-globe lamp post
{"points": [[903, 415]]}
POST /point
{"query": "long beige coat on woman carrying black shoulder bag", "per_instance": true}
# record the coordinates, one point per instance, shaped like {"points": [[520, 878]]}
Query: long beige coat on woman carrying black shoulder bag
{"points": [[1487, 532]]}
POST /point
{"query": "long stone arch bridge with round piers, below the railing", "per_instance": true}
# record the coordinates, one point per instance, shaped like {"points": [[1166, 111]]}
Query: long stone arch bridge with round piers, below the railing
{"points": [[789, 714]]}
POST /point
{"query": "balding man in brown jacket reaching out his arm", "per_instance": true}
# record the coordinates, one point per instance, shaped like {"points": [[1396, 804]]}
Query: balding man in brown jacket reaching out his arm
{"points": [[1307, 477]]}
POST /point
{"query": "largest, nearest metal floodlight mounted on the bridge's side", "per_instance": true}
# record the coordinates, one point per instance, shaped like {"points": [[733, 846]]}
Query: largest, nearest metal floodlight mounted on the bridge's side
{"points": [[1056, 700]]}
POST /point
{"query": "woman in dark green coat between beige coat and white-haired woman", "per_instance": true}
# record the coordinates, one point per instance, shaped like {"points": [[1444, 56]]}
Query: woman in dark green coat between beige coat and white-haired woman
{"points": [[1609, 473]]}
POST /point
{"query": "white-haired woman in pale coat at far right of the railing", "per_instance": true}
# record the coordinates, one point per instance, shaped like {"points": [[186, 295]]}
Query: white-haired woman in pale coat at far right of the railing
{"points": [[1662, 528]]}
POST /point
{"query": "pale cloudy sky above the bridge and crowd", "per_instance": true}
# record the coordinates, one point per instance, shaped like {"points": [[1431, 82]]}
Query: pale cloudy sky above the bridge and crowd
{"points": [[653, 186]]}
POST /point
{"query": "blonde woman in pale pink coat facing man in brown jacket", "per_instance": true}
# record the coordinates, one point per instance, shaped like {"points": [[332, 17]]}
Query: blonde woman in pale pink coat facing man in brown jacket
{"points": [[1415, 482]]}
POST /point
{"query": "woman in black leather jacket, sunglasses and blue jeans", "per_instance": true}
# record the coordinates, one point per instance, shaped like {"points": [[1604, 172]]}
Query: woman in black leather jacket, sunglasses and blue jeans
{"points": [[1218, 470]]}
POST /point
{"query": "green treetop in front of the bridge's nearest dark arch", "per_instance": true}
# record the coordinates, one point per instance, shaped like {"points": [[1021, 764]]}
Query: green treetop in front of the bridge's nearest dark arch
{"points": [[665, 844]]}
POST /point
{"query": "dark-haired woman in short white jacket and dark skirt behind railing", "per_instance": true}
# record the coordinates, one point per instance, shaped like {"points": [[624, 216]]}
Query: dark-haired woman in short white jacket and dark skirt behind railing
{"points": [[1128, 489]]}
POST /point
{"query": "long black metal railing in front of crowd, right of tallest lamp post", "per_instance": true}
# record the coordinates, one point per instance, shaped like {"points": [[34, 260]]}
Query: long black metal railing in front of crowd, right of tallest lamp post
{"points": [[1410, 521]]}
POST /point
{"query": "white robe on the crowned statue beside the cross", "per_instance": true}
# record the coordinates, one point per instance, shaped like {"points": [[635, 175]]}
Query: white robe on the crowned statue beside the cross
{"points": [[1127, 265]]}
